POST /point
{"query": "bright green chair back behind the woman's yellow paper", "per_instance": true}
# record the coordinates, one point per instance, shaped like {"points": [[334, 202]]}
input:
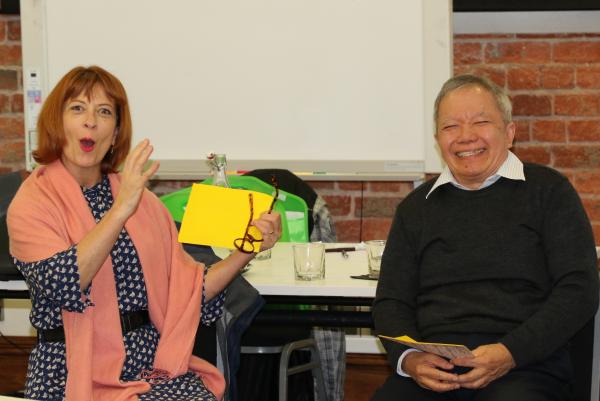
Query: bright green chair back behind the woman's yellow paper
{"points": [[293, 209]]}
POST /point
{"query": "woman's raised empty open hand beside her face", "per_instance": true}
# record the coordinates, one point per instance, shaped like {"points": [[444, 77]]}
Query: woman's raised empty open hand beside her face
{"points": [[134, 178]]}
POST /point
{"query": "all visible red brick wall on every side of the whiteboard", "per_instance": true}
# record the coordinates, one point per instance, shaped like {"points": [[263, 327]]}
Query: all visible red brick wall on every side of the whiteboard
{"points": [[554, 81]]}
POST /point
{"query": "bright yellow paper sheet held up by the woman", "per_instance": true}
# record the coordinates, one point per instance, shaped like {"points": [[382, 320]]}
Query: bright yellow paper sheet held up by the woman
{"points": [[216, 216]]}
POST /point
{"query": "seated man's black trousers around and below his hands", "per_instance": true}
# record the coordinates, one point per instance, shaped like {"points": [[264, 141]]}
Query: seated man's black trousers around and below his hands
{"points": [[549, 380]]}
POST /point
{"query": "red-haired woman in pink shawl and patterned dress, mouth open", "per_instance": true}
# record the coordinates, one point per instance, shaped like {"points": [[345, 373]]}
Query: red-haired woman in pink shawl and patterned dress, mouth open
{"points": [[115, 299]]}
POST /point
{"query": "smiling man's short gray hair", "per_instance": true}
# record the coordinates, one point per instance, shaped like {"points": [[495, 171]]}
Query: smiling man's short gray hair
{"points": [[459, 81]]}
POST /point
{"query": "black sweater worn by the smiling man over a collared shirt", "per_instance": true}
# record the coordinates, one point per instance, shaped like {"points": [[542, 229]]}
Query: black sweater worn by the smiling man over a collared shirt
{"points": [[516, 259]]}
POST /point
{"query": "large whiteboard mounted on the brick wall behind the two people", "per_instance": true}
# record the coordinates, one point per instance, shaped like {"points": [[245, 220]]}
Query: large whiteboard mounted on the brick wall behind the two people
{"points": [[341, 85]]}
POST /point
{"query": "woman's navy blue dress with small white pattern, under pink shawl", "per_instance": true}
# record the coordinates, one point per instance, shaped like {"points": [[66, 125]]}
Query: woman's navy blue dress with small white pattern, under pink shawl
{"points": [[54, 285]]}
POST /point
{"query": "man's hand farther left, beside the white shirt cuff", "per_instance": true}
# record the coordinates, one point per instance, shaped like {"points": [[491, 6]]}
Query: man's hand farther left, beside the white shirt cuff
{"points": [[429, 371]]}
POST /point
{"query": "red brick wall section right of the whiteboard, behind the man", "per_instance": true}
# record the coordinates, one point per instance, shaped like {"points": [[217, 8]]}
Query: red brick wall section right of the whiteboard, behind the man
{"points": [[554, 82]]}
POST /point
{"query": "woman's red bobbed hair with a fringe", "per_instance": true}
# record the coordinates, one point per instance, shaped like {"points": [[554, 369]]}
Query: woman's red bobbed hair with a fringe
{"points": [[82, 80]]}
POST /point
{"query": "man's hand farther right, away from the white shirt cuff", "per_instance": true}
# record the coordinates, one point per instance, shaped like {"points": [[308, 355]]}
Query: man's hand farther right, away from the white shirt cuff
{"points": [[489, 362]]}
